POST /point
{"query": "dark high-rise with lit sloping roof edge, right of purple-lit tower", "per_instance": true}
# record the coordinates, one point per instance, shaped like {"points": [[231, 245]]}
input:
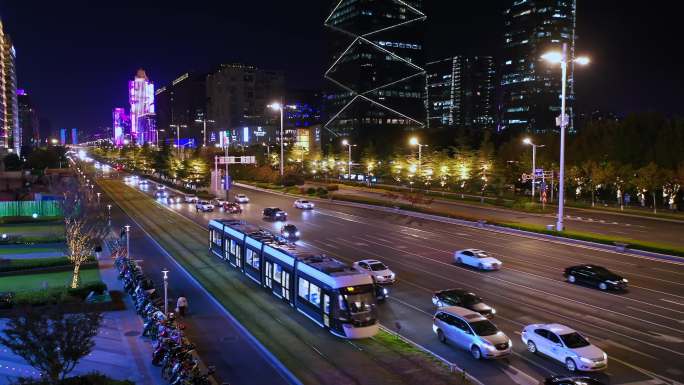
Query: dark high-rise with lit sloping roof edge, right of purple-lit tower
{"points": [[183, 105]]}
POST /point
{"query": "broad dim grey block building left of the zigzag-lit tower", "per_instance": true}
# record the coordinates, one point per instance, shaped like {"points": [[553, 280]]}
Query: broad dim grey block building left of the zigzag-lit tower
{"points": [[238, 96]]}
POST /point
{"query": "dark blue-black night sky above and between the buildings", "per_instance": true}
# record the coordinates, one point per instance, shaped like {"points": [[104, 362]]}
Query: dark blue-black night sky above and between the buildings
{"points": [[75, 58]]}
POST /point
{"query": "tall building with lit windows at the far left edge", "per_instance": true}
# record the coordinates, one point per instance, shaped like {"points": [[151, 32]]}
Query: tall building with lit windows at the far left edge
{"points": [[10, 131]]}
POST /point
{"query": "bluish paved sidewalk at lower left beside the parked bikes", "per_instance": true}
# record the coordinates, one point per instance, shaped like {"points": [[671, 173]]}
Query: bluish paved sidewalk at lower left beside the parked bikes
{"points": [[119, 351]]}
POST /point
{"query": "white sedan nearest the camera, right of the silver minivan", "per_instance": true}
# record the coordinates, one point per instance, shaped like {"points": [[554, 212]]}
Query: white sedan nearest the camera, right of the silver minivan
{"points": [[565, 345]]}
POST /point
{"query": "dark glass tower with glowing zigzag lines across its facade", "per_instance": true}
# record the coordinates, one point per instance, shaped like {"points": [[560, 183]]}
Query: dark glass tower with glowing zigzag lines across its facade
{"points": [[376, 74]]}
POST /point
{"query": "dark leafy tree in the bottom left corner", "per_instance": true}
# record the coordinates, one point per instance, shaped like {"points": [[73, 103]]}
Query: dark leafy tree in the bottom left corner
{"points": [[51, 341]]}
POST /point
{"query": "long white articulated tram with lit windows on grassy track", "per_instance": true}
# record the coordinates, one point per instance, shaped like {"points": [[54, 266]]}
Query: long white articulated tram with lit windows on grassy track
{"points": [[331, 293]]}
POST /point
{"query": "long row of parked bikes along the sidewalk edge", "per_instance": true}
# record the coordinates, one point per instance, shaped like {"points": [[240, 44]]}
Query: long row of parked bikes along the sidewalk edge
{"points": [[172, 352]]}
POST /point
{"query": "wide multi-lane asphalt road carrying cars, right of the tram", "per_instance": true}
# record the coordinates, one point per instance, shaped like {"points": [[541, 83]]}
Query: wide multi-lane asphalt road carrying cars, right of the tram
{"points": [[641, 330]]}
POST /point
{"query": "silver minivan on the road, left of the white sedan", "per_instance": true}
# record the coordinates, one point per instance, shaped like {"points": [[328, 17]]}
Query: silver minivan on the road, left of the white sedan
{"points": [[470, 331]]}
